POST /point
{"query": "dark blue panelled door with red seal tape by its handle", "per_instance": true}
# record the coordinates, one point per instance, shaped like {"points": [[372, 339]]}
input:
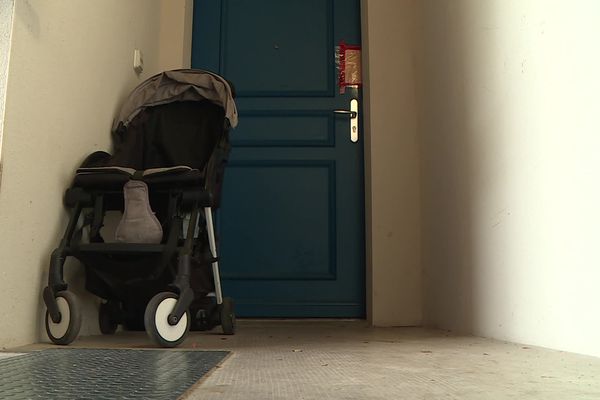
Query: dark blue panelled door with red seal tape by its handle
{"points": [[291, 223]]}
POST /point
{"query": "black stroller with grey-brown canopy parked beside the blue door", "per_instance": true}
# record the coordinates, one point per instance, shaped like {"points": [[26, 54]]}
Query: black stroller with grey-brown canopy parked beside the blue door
{"points": [[171, 144]]}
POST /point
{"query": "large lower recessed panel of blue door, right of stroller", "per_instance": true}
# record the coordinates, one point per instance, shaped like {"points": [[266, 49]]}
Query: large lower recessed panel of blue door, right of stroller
{"points": [[298, 198]]}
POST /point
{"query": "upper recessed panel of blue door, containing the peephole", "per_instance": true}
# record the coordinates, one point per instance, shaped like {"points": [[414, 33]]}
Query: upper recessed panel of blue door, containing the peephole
{"points": [[286, 58]]}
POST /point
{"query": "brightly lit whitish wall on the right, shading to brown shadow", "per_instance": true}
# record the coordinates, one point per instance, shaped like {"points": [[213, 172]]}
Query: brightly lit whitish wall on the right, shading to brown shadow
{"points": [[511, 169]]}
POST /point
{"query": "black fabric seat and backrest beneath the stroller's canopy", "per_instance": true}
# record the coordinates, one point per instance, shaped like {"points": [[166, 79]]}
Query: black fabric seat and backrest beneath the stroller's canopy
{"points": [[189, 133]]}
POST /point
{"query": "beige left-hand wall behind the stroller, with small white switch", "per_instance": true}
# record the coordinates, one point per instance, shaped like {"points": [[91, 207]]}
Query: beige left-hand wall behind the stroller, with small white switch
{"points": [[70, 68]]}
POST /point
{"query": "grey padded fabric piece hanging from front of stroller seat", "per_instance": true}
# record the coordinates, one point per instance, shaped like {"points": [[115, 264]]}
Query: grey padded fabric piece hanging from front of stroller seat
{"points": [[138, 224]]}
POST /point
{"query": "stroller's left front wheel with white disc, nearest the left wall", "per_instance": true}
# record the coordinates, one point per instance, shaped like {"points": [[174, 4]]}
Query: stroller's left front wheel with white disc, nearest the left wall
{"points": [[66, 330]]}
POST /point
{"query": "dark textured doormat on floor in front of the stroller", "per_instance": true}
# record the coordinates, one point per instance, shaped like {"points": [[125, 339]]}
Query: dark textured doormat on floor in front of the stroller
{"points": [[104, 374]]}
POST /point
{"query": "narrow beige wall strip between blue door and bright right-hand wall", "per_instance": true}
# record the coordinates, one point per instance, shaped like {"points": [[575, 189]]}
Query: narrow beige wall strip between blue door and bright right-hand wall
{"points": [[394, 289]]}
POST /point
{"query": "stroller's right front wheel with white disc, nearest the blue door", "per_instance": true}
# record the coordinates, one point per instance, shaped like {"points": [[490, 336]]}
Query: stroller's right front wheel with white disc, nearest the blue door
{"points": [[156, 321]]}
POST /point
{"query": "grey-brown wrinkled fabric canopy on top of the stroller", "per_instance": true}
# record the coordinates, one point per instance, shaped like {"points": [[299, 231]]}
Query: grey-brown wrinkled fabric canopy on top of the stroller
{"points": [[178, 85]]}
